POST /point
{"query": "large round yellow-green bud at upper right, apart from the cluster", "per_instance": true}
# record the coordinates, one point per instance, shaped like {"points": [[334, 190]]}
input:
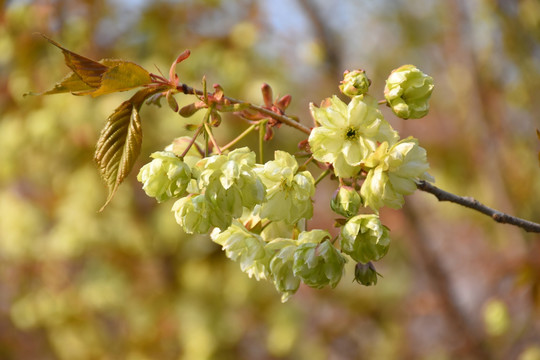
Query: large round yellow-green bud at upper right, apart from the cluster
{"points": [[407, 92]]}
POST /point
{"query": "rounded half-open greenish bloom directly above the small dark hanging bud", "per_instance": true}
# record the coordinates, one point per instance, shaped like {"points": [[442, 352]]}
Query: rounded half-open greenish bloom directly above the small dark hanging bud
{"points": [[364, 238]]}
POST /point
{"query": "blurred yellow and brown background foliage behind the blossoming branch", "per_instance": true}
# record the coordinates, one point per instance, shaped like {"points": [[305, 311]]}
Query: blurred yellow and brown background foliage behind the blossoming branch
{"points": [[127, 283]]}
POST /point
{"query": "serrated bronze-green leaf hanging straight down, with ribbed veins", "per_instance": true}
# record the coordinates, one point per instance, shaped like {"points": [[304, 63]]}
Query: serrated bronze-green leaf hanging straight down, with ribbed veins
{"points": [[120, 141]]}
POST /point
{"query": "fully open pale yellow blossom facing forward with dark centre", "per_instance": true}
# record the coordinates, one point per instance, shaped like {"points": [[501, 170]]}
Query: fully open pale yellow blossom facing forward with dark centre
{"points": [[348, 134]]}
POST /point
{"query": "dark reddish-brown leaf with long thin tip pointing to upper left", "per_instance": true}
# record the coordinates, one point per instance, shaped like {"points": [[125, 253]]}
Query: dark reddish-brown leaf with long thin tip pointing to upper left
{"points": [[88, 70]]}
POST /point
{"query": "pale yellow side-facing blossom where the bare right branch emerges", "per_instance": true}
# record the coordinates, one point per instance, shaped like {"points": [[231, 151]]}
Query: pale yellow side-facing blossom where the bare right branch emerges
{"points": [[394, 172]]}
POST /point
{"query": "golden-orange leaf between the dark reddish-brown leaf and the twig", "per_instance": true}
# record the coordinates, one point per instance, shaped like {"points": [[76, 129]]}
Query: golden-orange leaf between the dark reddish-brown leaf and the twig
{"points": [[121, 76]]}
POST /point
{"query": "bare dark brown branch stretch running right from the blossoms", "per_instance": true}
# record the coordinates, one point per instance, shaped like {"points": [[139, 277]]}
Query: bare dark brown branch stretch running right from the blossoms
{"points": [[474, 204]]}
